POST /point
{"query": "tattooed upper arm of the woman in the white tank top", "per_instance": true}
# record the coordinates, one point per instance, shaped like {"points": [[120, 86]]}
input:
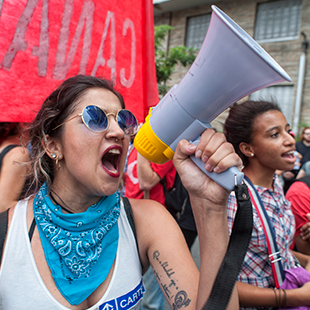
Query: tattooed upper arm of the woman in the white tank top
{"points": [[162, 245]]}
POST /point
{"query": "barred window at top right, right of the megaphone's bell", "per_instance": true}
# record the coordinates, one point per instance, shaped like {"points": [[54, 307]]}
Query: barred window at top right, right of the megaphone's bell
{"points": [[277, 21]]}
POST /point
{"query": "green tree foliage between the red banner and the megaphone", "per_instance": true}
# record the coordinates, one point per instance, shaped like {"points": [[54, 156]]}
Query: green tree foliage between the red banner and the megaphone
{"points": [[166, 61]]}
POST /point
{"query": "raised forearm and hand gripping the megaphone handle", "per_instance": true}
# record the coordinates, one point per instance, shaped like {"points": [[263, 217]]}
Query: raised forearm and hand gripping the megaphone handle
{"points": [[208, 200]]}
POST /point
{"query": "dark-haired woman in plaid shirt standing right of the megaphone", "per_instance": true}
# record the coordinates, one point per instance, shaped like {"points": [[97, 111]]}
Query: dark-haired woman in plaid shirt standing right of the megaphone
{"points": [[261, 136]]}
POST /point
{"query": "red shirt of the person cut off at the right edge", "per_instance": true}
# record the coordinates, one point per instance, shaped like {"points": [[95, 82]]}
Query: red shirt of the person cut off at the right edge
{"points": [[299, 196]]}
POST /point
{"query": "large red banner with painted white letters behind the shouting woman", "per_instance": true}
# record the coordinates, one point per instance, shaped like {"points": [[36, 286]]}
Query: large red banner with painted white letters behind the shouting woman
{"points": [[44, 42]]}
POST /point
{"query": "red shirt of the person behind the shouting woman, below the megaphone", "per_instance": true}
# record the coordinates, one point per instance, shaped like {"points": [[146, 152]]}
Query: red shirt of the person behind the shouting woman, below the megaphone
{"points": [[132, 189]]}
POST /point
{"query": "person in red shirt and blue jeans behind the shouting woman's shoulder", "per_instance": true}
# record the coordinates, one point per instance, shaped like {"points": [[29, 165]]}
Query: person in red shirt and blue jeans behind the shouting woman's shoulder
{"points": [[142, 181]]}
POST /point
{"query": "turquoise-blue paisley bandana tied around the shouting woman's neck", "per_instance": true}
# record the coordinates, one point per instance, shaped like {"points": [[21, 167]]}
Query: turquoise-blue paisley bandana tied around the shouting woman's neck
{"points": [[79, 248]]}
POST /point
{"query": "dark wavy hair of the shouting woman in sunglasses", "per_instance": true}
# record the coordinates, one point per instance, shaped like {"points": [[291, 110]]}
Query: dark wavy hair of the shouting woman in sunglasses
{"points": [[56, 109]]}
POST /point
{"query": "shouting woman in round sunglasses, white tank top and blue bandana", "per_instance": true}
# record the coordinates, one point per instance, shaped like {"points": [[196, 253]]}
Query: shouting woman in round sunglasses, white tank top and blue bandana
{"points": [[71, 244]]}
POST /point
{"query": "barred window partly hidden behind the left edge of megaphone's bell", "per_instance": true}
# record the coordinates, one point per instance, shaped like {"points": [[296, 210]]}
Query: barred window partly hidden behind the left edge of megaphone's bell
{"points": [[196, 30]]}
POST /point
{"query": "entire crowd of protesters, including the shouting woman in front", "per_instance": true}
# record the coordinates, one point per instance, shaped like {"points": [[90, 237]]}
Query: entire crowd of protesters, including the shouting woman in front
{"points": [[74, 240]]}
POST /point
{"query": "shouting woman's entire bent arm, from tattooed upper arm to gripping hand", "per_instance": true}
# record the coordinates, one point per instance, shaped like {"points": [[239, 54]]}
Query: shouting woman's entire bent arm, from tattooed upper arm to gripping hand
{"points": [[165, 247]]}
